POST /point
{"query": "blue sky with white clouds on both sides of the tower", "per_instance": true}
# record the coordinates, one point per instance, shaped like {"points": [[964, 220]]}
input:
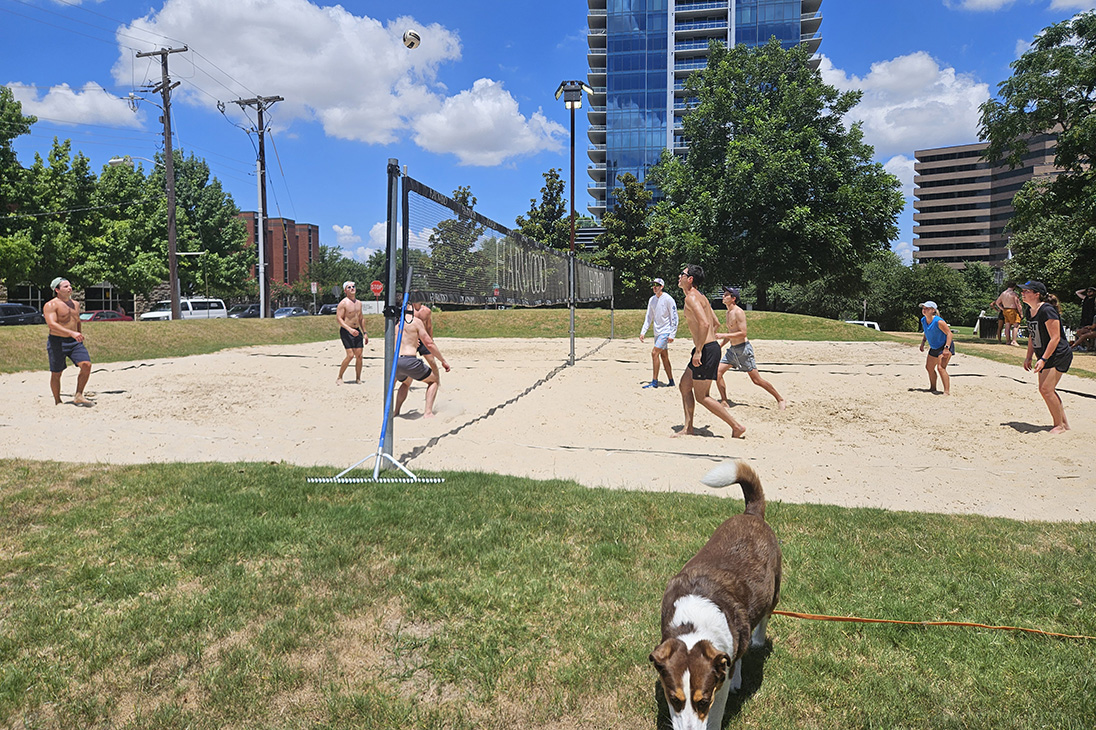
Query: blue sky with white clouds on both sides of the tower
{"points": [[473, 106]]}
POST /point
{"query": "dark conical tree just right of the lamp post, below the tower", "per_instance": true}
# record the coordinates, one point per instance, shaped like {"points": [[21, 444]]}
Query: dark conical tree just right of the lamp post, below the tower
{"points": [[635, 244]]}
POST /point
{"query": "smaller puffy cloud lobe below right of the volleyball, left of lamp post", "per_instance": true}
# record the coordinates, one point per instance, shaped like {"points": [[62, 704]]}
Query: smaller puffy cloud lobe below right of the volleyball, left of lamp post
{"points": [[484, 127]]}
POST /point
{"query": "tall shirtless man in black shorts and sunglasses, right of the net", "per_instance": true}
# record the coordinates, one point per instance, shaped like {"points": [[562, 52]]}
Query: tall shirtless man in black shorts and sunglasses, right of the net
{"points": [[702, 370]]}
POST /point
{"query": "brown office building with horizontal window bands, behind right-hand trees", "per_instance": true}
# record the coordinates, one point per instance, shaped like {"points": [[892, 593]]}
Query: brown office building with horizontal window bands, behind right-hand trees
{"points": [[963, 203]]}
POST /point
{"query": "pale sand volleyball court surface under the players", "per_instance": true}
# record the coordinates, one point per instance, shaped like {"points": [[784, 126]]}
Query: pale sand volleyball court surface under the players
{"points": [[861, 429]]}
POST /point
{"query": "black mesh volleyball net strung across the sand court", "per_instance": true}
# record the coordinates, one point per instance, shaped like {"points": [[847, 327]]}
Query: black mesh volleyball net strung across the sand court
{"points": [[459, 256]]}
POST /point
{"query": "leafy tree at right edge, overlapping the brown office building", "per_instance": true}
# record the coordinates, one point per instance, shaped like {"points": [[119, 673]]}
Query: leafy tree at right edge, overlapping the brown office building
{"points": [[1052, 90]]}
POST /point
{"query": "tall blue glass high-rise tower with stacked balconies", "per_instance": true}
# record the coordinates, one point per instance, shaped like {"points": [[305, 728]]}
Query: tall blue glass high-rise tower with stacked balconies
{"points": [[641, 54]]}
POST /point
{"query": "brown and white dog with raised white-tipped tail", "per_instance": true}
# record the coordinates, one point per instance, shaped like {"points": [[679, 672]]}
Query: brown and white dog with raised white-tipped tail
{"points": [[721, 601]]}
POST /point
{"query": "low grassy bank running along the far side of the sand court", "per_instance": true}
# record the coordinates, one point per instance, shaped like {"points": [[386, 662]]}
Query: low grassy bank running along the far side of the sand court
{"points": [[24, 348]]}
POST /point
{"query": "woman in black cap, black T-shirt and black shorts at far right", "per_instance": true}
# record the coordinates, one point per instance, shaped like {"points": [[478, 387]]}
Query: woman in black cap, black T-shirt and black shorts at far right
{"points": [[1046, 340]]}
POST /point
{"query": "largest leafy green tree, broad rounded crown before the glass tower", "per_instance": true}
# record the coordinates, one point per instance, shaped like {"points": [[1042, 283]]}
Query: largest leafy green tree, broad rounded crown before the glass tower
{"points": [[774, 186]]}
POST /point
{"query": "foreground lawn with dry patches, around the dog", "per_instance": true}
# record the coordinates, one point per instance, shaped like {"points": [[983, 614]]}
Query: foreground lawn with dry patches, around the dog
{"points": [[242, 597]]}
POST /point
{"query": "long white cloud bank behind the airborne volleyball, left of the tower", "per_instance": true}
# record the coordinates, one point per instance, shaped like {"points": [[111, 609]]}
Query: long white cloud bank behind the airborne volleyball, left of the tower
{"points": [[349, 73]]}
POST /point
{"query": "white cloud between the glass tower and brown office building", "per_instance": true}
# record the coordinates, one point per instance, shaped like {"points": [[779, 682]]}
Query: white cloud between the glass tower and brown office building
{"points": [[912, 102]]}
